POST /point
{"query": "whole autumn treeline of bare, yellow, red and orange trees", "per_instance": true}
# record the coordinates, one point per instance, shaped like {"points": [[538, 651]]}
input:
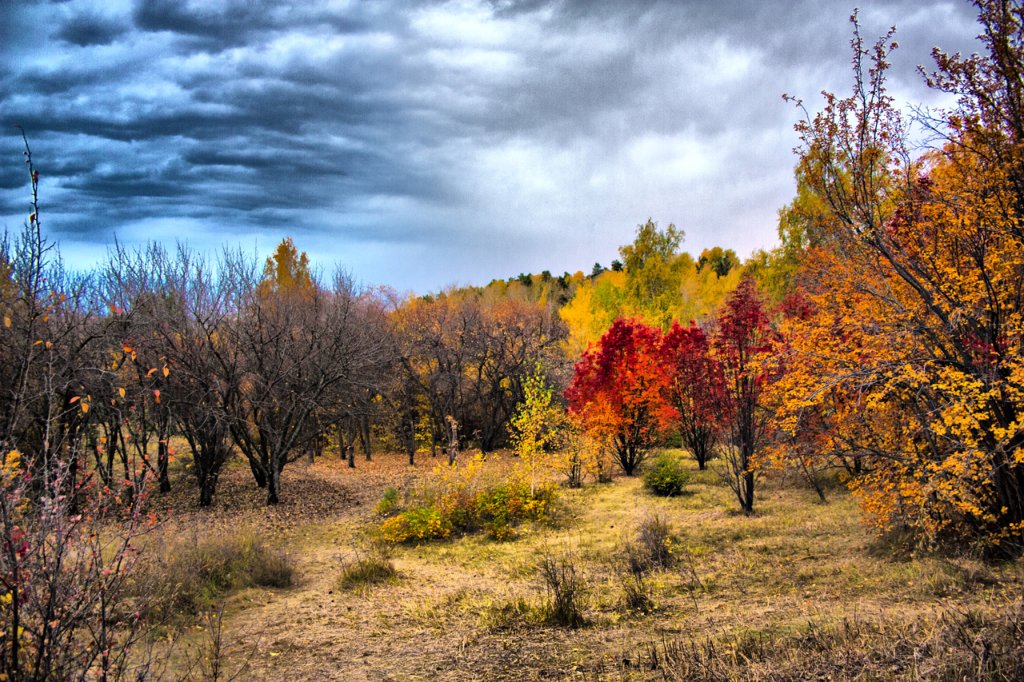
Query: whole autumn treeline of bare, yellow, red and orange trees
{"points": [[882, 338]]}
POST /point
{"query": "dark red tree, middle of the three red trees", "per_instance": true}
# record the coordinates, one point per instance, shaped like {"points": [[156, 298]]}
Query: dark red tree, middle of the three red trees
{"points": [[694, 389]]}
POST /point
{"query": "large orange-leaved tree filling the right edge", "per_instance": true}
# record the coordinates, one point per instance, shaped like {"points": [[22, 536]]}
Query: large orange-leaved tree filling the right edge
{"points": [[912, 361]]}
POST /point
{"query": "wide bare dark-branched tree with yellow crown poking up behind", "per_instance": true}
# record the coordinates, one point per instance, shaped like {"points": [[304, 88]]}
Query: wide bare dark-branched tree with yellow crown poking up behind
{"points": [[300, 345]]}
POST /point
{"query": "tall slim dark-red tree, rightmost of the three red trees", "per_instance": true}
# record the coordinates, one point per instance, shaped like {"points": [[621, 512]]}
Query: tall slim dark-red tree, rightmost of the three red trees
{"points": [[743, 348]]}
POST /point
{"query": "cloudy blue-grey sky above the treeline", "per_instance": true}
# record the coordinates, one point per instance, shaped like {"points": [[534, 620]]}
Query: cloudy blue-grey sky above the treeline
{"points": [[425, 145]]}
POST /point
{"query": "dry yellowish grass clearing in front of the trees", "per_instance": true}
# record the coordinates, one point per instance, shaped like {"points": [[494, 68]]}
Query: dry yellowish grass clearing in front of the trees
{"points": [[800, 590]]}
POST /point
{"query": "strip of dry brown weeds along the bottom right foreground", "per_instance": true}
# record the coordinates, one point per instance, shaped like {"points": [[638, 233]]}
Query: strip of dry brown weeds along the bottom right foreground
{"points": [[956, 645]]}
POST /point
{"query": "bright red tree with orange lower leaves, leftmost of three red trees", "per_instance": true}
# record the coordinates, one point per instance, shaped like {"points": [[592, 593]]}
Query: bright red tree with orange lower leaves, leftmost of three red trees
{"points": [[619, 390]]}
